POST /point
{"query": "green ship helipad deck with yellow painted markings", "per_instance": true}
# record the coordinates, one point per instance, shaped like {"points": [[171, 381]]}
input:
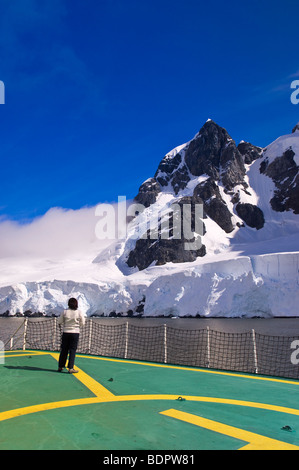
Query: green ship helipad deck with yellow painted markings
{"points": [[128, 405]]}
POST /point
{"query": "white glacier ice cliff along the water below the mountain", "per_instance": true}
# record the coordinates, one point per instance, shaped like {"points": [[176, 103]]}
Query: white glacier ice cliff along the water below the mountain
{"points": [[244, 286]]}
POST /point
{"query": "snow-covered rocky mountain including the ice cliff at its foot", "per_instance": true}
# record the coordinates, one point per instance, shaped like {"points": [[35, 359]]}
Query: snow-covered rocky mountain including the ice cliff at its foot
{"points": [[240, 258]]}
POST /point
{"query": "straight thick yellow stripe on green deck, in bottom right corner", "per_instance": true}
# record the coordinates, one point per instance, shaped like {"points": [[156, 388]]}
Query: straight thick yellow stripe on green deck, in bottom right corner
{"points": [[255, 441]]}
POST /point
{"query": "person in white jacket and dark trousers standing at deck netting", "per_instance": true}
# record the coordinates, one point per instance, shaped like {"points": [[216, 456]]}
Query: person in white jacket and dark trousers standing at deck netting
{"points": [[71, 320]]}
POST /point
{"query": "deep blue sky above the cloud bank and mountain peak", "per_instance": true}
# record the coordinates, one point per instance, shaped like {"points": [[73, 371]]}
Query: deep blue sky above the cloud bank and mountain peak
{"points": [[97, 91]]}
